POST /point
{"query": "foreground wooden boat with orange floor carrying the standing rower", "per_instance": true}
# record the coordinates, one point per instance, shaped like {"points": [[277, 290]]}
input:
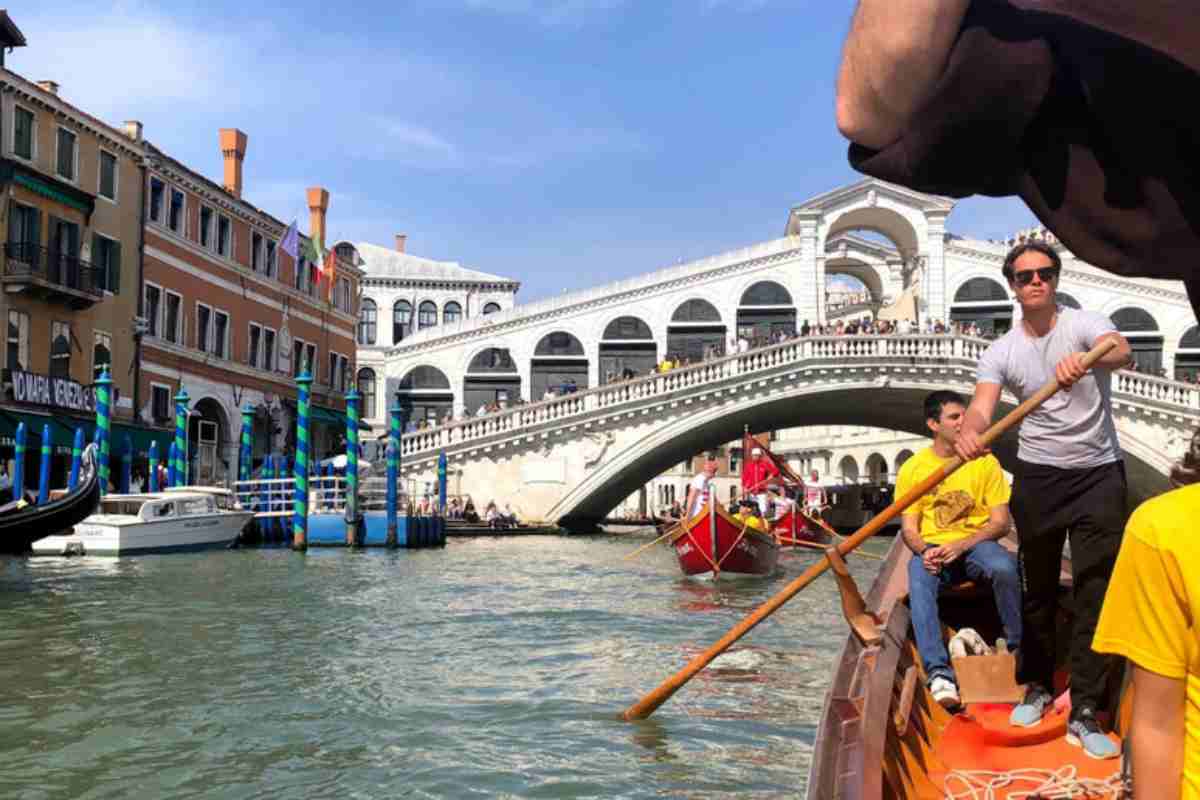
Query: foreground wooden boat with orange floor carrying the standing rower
{"points": [[883, 736]]}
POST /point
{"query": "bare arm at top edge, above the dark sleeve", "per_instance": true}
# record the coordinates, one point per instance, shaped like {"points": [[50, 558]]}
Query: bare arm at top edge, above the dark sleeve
{"points": [[895, 55]]}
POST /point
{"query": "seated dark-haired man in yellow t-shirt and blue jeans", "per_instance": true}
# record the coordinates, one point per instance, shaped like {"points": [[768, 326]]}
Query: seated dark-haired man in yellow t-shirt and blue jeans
{"points": [[952, 533]]}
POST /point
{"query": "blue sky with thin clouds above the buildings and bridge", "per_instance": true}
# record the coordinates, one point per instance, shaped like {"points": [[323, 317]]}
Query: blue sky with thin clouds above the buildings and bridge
{"points": [[561, 143]]}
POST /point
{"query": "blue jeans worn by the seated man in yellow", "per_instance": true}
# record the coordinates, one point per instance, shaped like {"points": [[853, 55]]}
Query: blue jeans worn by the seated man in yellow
{"points": [[985, 561]]}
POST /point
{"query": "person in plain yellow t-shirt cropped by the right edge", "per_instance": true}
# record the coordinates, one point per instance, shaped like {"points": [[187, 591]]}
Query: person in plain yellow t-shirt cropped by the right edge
{"points": [[1151, 616]]}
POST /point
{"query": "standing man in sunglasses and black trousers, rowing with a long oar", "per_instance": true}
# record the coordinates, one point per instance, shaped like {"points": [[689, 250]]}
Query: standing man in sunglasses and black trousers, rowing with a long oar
{"points": [[1070, 482]]}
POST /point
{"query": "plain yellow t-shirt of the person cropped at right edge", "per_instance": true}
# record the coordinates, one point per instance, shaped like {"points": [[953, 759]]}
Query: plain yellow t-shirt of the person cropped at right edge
{"points": [[1151, 612]]}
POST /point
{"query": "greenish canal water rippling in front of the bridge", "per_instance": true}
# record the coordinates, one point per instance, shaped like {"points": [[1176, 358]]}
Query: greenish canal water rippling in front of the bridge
{"points": [[493, 669]]}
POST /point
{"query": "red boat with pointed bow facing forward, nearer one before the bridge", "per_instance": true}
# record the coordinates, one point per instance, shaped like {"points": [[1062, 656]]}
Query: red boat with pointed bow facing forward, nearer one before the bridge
{"points": [[713, 543]]}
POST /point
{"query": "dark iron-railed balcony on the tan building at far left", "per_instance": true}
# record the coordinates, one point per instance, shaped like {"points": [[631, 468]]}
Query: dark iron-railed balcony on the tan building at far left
{"points": [[51, 276]]}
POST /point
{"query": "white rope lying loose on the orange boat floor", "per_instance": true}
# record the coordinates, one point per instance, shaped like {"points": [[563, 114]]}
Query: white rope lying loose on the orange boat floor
{"points": [[1043, 785]]}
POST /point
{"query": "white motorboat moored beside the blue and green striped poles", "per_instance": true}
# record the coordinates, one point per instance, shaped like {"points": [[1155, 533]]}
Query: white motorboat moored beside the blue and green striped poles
{"points": [[189, 519]]}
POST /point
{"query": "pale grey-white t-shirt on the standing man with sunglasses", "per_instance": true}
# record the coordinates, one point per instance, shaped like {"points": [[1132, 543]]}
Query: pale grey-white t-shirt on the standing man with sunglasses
{"points": [[1073, 430]]}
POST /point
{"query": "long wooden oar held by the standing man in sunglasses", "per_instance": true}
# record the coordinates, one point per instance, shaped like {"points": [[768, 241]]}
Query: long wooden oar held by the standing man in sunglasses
{"points": [[647, 706]]}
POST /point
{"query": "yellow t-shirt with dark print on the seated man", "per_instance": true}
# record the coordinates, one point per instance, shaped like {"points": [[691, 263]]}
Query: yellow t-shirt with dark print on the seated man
{"points": [[962, 504]]}
